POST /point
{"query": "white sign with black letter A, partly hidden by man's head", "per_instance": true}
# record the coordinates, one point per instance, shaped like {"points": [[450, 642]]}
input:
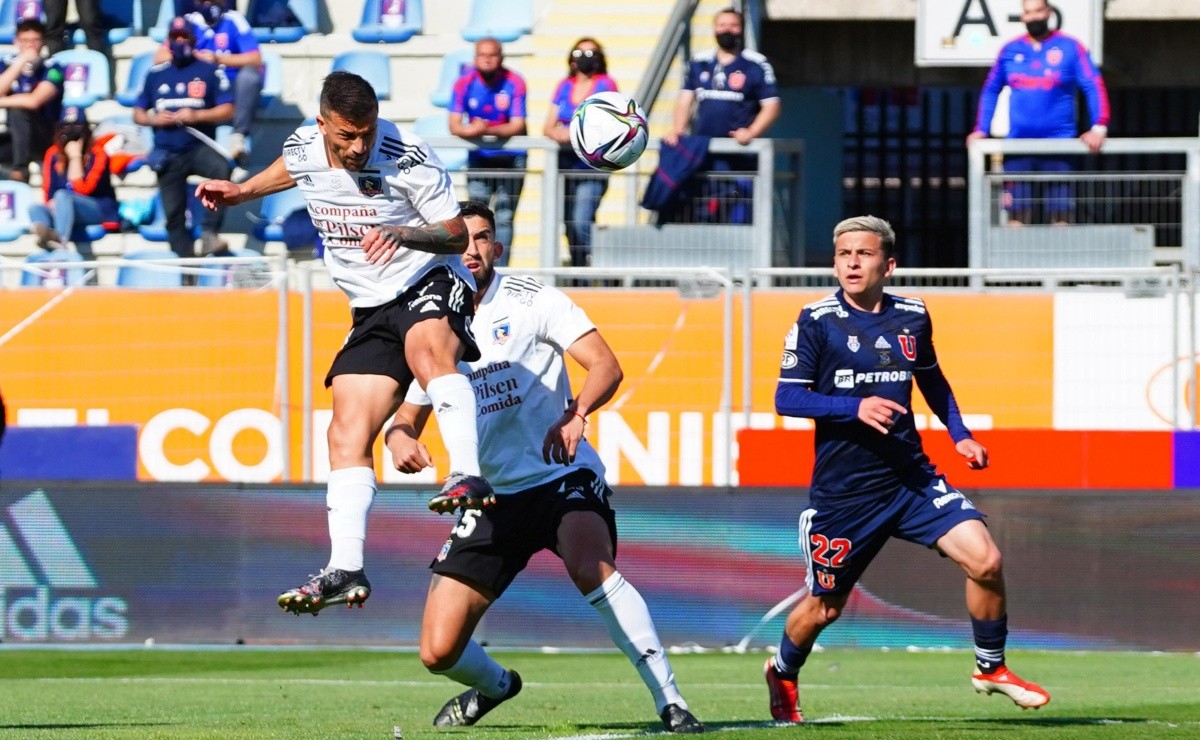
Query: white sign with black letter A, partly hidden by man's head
{"points": [[971, 33]]}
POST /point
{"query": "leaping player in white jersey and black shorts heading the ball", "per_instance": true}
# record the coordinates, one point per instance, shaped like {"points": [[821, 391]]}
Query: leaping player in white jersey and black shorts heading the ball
{"points": [[368, 184]]}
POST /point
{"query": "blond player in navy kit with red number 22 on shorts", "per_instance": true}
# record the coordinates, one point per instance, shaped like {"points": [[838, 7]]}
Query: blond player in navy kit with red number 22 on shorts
{"points": [[849, 364]]}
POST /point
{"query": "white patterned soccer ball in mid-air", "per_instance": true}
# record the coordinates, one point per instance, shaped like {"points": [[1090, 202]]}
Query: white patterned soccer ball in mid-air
{"points": [[609, 131]]}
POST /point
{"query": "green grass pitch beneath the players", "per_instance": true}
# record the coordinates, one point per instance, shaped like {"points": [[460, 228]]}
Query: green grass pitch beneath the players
{"points": [[355, 694]]}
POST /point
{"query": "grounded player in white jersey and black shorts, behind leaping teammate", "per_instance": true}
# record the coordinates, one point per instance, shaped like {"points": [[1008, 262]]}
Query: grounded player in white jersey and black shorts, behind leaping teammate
{"points": [[550, 486]]}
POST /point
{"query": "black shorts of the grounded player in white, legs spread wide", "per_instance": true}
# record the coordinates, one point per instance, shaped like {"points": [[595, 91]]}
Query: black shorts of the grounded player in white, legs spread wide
{"points": [[489, 549]]}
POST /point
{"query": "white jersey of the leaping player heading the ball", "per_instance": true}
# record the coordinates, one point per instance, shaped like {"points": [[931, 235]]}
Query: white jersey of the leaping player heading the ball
{"points": [[403, 184]]}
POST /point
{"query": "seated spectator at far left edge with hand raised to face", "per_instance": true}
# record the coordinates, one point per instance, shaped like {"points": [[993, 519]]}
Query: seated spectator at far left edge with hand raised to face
{"points": [[32, 92]]}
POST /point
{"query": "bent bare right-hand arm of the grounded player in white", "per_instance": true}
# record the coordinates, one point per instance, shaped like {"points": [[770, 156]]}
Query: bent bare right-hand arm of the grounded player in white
{"points": [[604, 377]]}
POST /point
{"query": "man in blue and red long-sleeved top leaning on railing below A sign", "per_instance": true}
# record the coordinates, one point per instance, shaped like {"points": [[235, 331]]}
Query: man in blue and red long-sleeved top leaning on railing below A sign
{"points": [[1043, 70]]}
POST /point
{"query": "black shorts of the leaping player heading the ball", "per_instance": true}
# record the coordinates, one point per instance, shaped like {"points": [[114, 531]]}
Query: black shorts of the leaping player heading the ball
{"points": [[376, 344]]}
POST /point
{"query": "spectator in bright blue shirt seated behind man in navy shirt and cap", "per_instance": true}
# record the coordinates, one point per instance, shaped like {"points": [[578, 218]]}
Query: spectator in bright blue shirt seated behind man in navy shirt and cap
{"points": [[224, 37]]}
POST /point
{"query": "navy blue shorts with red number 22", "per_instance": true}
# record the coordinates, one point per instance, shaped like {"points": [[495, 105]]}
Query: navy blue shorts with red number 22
{"points": [[839, 543]]}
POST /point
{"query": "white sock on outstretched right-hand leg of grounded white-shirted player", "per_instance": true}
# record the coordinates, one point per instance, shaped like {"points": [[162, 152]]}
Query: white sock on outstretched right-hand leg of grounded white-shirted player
{"points": [[629, 623]]}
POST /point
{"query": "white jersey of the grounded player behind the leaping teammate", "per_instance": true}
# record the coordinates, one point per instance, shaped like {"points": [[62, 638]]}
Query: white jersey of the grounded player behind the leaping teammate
{"points": [[524, 329]]}
